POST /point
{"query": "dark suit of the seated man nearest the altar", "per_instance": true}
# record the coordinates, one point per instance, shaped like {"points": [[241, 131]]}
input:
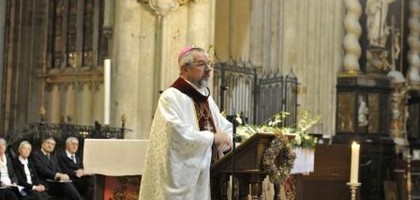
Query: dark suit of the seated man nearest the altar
{"points": [[83, 184]]}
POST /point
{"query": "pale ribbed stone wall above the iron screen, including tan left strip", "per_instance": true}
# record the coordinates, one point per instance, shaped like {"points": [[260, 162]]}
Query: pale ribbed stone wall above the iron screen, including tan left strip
{"points": [[299, 36]]}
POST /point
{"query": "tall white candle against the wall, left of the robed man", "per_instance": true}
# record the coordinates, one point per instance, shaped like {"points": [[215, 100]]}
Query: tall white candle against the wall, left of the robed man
{"points": [[107, 91]]}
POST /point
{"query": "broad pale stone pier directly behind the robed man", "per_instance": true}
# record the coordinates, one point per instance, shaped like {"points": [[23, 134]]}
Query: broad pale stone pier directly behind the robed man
{"points": [[146, 47]]}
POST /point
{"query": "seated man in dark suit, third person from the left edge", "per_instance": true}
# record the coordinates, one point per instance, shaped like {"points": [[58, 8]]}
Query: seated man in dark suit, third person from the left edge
{"points": [[57, 182]]}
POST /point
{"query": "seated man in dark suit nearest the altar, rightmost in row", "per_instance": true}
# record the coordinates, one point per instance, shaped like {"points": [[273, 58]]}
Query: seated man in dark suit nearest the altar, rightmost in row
{"points": [[72, 165]]}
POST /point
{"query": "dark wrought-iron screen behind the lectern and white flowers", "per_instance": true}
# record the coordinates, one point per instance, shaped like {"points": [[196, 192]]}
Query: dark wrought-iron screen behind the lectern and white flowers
{"points": [[239, 88]]}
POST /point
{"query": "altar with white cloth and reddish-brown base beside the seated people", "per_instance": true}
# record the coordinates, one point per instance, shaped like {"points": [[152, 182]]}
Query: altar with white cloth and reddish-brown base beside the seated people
{"points": [[117, 164]]}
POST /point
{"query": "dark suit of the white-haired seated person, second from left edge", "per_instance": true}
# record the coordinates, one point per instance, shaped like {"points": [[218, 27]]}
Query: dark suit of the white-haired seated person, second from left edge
{"points": [[23, 181]]}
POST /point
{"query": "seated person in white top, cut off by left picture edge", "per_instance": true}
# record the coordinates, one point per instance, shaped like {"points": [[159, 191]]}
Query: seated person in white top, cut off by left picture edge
{"points": [[8, 178]]}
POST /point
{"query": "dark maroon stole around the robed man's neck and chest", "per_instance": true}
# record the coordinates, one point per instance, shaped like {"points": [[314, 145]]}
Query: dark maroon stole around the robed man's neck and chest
{"points": [[202, 109]]}
